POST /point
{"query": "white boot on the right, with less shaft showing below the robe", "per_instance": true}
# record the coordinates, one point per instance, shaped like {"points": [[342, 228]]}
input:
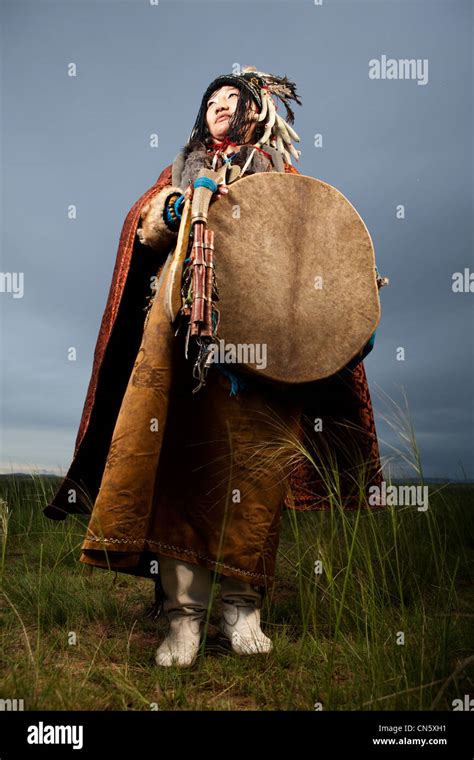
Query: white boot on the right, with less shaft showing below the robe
{"points": [[240, 621]]}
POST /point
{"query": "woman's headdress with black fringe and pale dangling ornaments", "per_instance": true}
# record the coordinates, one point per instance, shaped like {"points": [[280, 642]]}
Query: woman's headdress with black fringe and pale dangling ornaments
{"points": [[261, 88]]}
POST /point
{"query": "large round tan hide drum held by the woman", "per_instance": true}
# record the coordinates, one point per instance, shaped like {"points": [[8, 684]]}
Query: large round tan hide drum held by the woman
{"points": [[296, 276]]}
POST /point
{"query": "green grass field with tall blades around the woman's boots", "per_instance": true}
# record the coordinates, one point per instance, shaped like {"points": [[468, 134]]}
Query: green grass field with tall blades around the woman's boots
{"points": [[80, 639]]}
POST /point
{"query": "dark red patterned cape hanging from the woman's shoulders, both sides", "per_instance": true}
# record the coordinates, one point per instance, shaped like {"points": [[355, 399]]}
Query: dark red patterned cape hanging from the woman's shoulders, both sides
{"points": [[343, 401]]}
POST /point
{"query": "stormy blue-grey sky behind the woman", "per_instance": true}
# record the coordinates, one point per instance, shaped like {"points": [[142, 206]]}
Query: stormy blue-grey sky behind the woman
{"points": [[142, 69]]}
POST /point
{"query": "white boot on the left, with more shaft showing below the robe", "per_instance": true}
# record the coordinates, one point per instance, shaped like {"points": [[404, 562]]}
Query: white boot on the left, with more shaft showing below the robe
{"points": [[187, 590]]}
